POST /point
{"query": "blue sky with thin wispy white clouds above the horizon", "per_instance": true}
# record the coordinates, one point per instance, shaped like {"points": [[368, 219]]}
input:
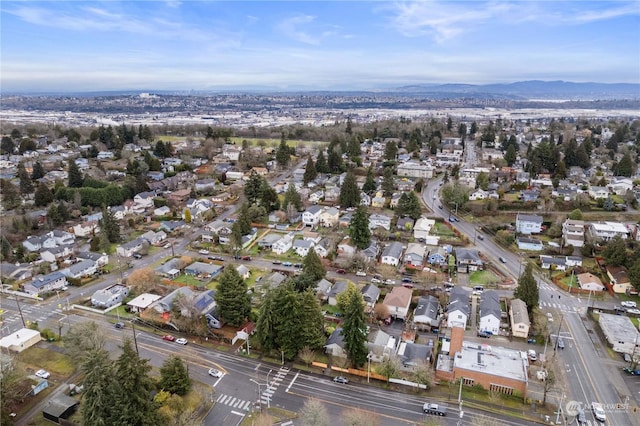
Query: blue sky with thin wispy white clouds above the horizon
{"points": [[328, 45]]}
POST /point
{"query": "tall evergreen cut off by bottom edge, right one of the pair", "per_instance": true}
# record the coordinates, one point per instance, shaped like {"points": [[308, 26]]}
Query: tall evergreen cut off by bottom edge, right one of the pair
{"points": [[133, 404]]}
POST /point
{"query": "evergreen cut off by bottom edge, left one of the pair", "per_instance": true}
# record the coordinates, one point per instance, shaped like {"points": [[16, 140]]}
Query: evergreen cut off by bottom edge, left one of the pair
{"points": [[99, 392]]}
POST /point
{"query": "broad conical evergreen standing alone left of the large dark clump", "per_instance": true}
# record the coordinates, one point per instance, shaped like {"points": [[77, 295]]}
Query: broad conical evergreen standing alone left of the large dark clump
{"points": [[234, 303]]}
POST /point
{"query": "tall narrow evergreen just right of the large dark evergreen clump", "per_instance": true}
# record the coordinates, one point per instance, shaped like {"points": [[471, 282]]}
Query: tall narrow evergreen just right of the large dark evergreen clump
{"points": [[354, 328]]}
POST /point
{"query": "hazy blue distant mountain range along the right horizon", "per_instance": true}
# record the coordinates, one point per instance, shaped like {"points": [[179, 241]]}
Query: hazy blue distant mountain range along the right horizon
{"points": [[533, 89]]}
